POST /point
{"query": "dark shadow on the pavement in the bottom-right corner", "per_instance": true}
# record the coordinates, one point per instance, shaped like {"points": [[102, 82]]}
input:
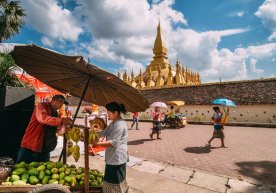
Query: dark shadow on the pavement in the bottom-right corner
{"points": [[263, 172]]}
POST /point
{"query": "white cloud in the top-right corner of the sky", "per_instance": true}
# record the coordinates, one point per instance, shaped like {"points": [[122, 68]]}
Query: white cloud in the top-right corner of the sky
{"points": [[267, 12]]}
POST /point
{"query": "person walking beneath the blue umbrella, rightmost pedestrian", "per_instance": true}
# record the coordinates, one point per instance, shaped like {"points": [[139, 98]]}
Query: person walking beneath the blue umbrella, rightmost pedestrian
{"points": [[218, 127]]}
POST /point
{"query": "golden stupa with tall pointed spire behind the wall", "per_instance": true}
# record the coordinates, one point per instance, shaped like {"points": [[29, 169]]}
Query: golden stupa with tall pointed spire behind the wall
{"points": [[160, 73]]}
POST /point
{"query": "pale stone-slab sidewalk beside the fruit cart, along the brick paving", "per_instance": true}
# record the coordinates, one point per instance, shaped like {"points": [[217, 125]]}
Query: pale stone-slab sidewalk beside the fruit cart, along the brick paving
{"points": [[153, 177]]}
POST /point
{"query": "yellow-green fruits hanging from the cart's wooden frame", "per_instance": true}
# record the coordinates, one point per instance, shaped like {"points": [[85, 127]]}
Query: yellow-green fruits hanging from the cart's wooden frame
{"points": [[74, 135]]}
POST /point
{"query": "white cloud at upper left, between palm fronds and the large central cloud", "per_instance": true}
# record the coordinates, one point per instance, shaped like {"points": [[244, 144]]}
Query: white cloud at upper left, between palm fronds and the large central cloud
{"points": [[55, 22]]}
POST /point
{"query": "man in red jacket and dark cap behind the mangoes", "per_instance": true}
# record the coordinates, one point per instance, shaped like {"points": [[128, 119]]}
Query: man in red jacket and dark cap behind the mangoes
{"points": [[40, 136]]}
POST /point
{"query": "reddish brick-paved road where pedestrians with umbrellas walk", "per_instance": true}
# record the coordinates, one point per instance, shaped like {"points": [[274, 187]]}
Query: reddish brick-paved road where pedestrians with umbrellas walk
{"points": [[251, 151]]}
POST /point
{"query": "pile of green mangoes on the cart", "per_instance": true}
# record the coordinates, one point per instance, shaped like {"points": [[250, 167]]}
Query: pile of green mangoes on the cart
{"points": [[41, 173]]}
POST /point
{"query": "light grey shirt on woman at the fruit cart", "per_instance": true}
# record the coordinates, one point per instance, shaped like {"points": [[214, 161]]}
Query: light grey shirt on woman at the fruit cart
{"points": [[116, 133]]}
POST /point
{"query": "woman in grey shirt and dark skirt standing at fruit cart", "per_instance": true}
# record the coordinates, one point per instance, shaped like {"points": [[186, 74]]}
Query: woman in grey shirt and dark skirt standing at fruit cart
{"points": [[116, 154]]}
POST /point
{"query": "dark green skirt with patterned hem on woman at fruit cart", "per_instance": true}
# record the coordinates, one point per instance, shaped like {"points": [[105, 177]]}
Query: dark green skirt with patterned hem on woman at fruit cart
{"points": [[115, 179]]}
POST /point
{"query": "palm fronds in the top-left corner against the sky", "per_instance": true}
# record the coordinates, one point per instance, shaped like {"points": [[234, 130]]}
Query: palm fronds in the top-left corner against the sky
{"points": [[11, 19]]}
